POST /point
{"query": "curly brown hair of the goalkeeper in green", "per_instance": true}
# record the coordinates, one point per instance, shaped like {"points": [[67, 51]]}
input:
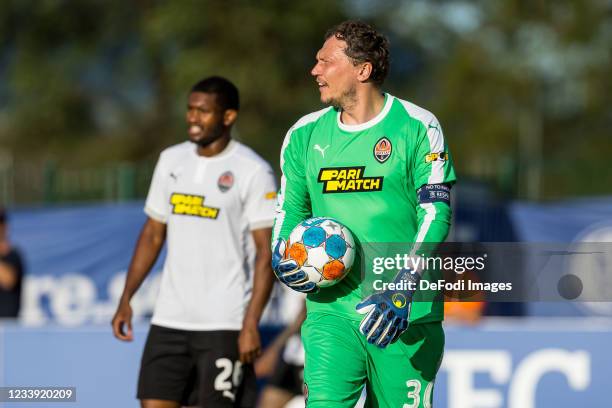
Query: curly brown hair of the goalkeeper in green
{"points": [[364, 44]]}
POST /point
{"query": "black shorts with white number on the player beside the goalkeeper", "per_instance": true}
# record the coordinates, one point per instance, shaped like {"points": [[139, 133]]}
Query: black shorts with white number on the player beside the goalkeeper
{"points": [[196, 368]]}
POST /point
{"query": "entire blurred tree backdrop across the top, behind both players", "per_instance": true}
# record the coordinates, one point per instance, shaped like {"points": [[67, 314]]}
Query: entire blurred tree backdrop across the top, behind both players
{"points": [[522, 88]]}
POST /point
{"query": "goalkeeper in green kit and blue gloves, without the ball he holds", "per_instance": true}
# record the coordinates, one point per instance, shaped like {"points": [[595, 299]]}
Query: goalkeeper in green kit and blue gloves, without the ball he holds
{"points": [[400, 149]]}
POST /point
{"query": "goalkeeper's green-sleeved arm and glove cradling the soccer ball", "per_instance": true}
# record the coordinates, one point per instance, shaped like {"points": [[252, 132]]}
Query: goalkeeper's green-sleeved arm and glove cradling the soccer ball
{"points": [[293, 207]]}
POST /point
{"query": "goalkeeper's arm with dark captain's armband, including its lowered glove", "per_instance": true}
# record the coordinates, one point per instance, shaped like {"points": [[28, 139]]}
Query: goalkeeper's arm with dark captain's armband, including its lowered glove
{"points": [[387, 313]]}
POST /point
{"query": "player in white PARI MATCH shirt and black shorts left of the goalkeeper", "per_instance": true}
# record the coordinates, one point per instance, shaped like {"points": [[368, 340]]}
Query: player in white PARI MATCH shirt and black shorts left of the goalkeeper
{"points": [[212, 198]]}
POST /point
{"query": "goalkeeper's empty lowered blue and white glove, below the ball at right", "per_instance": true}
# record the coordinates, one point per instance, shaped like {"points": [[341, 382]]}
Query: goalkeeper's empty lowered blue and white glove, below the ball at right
{"points": [[388, 312]]}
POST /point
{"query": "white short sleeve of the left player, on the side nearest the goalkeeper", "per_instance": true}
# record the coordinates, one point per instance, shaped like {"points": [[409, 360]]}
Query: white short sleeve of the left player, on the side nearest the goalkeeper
{"points": [[260, 198]]}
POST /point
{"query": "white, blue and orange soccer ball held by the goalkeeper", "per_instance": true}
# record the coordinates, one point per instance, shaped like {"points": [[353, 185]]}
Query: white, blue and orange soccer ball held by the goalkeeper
{"points": [[323, 248]]}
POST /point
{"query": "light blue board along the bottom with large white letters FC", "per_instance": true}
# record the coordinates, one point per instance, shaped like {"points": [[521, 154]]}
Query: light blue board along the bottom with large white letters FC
{"points": [[526, 363]]}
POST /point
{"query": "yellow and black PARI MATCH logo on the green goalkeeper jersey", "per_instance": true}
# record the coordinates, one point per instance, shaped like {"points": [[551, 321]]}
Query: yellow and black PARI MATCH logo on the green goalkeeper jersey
{"points": [[348, 180]]}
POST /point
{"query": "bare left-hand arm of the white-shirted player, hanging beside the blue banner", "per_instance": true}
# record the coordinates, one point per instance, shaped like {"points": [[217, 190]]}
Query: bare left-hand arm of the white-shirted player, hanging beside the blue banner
{"points": [[148, 247]]}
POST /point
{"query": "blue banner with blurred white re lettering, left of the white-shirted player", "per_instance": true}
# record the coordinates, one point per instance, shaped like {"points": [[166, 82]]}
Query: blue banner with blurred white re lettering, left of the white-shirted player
{"points": [[76, 259]]}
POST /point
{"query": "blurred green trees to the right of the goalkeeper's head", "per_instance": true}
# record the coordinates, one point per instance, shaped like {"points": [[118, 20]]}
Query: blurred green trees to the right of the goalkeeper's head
{"points": [[522, 88]]}
